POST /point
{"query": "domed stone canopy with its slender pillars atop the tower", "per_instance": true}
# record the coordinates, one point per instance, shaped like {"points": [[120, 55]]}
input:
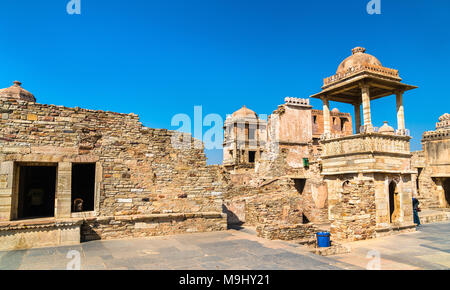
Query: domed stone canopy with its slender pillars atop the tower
{"points": [[359, 79]]}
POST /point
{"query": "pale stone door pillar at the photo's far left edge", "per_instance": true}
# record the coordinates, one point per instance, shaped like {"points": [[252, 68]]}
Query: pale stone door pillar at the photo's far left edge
{"points": [[6, 189]]}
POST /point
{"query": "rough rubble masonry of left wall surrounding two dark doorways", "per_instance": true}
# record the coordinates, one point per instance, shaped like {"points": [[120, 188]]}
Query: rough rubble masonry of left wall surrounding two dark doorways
{"points": [[139, 172]]}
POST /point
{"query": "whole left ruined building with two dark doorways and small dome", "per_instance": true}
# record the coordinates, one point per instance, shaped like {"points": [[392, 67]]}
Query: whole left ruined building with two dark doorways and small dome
{"points": [[69, 175]]}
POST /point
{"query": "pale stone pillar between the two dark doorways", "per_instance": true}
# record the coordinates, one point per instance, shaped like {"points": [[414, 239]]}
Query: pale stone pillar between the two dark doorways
{"points": [[63, 195]]}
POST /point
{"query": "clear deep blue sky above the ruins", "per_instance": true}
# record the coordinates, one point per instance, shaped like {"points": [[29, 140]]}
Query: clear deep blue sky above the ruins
{"points": [[161, 58]]}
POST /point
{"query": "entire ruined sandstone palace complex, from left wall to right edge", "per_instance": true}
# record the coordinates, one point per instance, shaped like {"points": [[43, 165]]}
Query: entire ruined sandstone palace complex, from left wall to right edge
{"points": [[69, 175]]}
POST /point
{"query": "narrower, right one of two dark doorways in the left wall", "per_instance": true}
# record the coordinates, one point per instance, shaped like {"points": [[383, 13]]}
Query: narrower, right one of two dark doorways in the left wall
{"points": [[83, 187]]}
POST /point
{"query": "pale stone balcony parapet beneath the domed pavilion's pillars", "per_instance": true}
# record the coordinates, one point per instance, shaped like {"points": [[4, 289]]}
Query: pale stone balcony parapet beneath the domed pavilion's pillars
{"points": [[364, 143]]}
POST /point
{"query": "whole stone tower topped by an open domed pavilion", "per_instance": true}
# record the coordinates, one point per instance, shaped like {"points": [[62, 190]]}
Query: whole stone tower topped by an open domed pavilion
{"points": [[374, 165]]}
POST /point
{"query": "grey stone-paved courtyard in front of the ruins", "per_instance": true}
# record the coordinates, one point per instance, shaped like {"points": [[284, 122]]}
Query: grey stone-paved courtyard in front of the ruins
{"points": [[428, 248]]}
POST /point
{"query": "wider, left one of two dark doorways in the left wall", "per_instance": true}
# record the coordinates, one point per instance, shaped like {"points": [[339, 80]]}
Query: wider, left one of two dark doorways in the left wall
{"points": [[36, 191]]}
